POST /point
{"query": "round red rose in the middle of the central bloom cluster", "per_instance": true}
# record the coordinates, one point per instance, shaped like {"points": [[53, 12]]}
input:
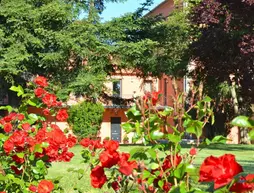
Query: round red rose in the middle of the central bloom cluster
{"points": [[108, 159]]}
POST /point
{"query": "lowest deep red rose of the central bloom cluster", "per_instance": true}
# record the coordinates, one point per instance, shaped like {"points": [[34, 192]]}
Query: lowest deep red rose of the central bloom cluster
{"points": [[98, 177]]}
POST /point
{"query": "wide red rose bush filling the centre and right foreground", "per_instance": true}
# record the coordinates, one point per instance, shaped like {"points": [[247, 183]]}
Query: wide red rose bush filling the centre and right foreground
{"points": [[163, 167]]}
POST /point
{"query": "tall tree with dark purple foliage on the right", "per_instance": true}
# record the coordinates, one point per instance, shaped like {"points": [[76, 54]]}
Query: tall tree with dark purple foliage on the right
{"points": [[224, 51]]}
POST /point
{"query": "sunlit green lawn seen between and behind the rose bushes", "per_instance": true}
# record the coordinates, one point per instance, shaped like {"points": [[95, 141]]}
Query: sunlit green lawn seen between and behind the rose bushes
{"points": [[244, 155]]}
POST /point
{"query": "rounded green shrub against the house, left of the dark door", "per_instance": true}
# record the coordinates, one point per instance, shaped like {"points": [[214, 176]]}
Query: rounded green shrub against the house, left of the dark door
{"points": [[86, 118]]}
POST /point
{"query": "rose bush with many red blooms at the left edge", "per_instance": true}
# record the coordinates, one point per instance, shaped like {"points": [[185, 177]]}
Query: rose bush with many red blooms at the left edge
{"points": [[29, 144]]}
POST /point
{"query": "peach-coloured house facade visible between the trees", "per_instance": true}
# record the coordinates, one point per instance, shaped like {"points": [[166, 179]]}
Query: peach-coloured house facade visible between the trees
{"points": [[127, 85]]}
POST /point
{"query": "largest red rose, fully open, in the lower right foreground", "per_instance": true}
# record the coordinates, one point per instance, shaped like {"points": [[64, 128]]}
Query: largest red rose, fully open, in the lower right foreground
{"points": [[221, 170]]}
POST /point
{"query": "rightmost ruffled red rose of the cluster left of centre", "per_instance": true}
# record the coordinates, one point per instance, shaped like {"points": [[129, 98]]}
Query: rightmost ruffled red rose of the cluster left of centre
{"points": [[126, 167]]}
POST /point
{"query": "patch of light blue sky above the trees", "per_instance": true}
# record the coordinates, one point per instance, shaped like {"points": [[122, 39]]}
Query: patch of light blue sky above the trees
{"points": [[118, 9]]}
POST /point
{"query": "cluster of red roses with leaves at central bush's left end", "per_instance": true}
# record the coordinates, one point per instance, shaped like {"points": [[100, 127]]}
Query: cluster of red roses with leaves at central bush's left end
{"points": [[105, 158]]}
